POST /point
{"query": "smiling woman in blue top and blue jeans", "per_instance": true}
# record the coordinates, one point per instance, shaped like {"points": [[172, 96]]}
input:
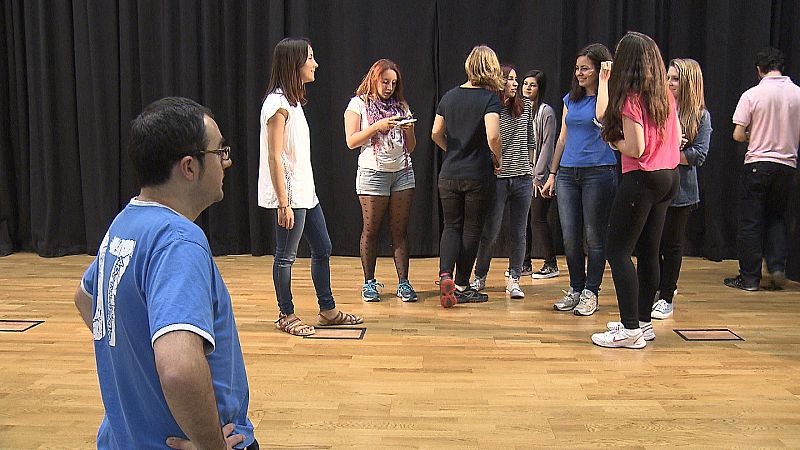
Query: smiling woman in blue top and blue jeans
{"points": [[586, 180]]}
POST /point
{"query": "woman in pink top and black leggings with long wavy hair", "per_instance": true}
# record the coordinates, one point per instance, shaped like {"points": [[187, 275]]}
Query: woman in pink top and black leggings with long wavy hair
{"points": [[642, 123]]}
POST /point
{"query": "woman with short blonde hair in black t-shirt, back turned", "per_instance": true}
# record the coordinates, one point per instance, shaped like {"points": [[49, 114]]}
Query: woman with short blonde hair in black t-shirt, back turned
{"points": [[467, 128]]}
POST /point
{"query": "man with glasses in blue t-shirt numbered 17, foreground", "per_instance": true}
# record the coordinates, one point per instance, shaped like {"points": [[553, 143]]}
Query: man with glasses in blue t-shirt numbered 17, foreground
{"points": [[167, 350]]}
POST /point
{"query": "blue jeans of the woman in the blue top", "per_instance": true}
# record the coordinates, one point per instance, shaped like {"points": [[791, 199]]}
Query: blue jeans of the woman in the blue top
{"points": [[584, 202]]}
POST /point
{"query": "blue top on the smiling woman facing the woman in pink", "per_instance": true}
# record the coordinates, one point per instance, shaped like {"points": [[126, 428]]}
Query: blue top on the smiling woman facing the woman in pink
{"points": [[584, 147]]}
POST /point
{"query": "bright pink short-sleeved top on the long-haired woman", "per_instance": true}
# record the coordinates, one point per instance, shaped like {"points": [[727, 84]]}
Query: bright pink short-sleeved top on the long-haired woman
{"points": [[661, 148]]}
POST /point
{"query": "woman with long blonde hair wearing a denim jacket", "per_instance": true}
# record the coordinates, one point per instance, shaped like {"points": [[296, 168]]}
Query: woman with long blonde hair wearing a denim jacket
{"points": [[685, 81]]}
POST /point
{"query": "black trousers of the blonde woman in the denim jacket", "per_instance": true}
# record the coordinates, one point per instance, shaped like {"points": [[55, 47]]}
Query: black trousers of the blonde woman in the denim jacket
{"points": [[671, 252]]}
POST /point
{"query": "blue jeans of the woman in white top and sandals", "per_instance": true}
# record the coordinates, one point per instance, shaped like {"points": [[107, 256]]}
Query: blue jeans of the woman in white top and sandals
{"points": [[311, 224]]}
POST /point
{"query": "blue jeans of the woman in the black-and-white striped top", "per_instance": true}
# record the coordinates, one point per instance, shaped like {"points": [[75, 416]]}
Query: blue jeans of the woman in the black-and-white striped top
{"points": [[517, 193]]}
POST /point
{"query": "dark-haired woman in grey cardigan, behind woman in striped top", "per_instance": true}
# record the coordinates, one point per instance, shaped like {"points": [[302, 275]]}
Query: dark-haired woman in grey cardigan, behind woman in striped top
{"points": [[534, 87]]}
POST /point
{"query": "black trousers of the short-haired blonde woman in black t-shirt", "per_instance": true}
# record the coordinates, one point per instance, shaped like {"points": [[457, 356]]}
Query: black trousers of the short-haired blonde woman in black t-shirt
{"points": [[464, 207]]}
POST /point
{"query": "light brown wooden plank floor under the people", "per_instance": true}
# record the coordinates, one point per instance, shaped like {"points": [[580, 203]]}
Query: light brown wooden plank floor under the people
{"points": [[505, 374]]}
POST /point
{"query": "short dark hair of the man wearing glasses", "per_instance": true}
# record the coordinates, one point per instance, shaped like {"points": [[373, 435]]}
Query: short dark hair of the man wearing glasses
{"points": [[164, 132]]}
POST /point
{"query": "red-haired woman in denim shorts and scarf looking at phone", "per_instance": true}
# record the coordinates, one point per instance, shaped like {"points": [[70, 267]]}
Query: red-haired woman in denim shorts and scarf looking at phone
{"points": [[385, 178]]}
